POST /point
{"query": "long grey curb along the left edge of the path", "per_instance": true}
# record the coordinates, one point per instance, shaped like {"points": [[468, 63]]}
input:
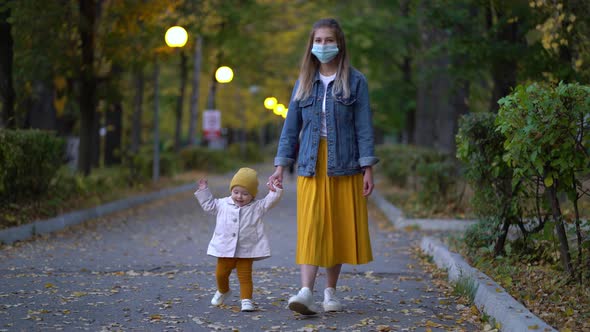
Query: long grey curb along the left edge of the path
{"points": [[19, 233]]}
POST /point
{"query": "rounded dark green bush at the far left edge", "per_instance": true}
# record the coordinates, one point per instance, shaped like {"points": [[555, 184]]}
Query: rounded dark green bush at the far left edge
{"points": [[28, 161]]}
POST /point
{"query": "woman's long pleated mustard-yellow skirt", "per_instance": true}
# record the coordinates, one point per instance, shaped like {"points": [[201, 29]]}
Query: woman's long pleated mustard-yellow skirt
{"points": [[332, 218]]}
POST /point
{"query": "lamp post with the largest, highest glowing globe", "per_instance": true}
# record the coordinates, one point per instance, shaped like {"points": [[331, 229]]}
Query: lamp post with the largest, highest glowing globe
{"points": [[175, 36]]}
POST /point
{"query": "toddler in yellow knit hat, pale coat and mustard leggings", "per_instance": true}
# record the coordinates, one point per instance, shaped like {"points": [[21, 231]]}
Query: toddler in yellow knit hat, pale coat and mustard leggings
{"points": [[239, 237]]}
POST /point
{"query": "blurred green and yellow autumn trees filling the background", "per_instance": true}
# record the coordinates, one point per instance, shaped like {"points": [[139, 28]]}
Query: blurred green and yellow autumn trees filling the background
{"points": [[78, 66]]}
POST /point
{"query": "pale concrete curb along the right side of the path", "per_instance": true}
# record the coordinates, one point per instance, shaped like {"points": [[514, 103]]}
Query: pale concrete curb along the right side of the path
{"points": [[490, 298]]}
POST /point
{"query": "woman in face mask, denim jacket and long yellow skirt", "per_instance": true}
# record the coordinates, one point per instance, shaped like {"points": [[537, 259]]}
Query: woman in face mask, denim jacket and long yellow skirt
{"points": [[329, 108]]}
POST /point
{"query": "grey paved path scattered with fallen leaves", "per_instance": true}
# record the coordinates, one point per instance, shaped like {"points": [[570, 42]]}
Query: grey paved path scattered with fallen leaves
{"points": [[145, 269]]}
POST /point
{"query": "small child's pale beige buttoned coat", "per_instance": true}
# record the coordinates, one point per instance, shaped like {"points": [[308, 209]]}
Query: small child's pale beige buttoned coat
{"points": [[239, 232]]}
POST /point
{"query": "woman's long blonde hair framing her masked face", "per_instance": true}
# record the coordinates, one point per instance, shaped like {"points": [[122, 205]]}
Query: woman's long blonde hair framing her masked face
{"points": [[310, 64]]}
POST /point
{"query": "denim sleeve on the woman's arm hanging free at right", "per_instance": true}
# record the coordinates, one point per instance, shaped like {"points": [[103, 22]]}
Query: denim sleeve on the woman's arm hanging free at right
{"points": [[364, 126]]}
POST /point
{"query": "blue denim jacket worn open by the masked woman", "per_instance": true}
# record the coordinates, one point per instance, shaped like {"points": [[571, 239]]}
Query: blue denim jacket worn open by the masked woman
{"points": [[349, 125]]}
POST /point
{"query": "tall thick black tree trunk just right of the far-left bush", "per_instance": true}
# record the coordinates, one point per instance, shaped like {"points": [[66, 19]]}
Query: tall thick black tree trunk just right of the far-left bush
{"points": [[88, 123]]}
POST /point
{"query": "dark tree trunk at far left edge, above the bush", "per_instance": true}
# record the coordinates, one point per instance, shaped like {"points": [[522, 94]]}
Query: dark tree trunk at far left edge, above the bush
{"points": [[7, 94]]}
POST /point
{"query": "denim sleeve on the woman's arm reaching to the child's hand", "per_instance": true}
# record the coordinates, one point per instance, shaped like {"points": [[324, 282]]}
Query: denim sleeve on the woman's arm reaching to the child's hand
{"points": [[286, 152]]}
